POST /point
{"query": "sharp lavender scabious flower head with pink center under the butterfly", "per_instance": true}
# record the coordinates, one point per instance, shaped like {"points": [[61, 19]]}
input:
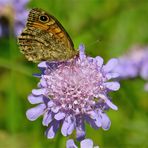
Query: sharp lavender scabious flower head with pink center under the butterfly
{"points": [[74, 92]]}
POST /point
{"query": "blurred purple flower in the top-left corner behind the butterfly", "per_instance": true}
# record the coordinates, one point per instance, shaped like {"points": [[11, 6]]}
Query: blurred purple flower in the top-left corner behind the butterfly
{"points": [[13, 14]]}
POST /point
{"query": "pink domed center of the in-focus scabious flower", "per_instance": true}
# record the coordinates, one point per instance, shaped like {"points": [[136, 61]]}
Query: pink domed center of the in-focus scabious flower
{"points": [[74, 87]]}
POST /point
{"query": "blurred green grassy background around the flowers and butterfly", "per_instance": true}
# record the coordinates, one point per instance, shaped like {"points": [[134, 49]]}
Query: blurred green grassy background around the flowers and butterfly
{"points": [[107, 28]]}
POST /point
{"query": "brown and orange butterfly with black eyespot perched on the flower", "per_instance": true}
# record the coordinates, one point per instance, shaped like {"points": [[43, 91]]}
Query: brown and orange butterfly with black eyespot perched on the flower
{"points": [[44, 38]]}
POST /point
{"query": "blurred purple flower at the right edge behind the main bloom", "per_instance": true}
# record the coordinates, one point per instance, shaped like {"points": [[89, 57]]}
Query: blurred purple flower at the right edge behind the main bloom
{"points": [[133, 64]]}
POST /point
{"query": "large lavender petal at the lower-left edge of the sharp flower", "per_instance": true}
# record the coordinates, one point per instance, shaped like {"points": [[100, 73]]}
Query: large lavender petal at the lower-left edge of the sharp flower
{"points": [[33, 113]]}
